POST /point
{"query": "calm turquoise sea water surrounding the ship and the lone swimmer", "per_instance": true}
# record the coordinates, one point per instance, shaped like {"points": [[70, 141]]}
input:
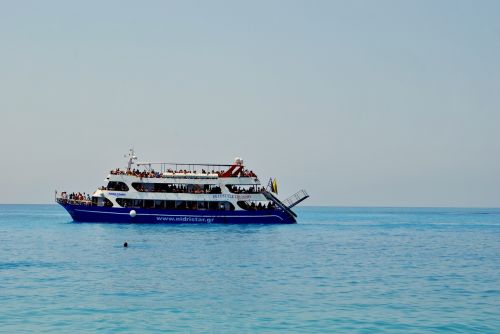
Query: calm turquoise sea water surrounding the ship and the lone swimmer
{"points": [[338, 270]]}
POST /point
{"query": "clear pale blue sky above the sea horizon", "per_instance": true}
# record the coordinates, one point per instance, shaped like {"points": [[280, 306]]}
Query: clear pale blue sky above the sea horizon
{"points": [[379, 103]]}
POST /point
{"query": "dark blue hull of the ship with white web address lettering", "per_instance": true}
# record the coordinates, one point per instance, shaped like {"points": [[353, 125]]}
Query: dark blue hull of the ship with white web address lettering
{"points": [[97, 214]]}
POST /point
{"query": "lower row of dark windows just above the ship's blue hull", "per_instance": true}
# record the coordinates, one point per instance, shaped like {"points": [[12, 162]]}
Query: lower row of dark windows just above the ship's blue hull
{"points": [[175, 205]]}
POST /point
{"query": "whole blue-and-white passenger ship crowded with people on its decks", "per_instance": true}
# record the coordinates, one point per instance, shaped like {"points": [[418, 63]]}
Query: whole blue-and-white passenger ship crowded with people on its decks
{"points": [[182, 193]]}
